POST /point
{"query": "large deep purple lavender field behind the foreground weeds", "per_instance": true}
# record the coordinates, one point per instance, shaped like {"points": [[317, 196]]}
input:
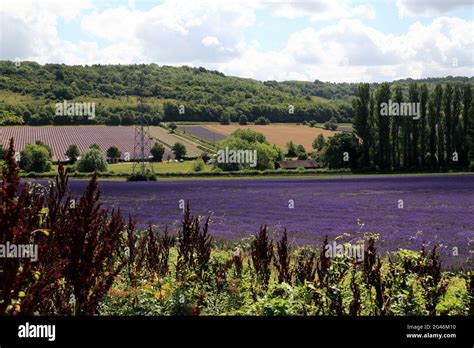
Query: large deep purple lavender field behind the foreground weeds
{"points": [[436, 209]]}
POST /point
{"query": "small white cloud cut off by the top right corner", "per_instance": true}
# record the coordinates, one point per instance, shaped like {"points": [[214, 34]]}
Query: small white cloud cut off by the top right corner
{"points": [[428, 8]]}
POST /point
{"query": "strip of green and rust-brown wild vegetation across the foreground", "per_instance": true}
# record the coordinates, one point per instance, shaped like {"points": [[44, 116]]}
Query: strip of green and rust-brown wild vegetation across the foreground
{"points": [[92, 261]]}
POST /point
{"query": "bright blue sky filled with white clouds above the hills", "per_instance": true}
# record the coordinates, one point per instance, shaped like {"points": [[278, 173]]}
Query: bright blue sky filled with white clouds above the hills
{"points": [[333, 40]]}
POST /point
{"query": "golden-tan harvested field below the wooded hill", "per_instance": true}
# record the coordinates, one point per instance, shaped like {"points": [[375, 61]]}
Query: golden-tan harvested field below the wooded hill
{"points": [[279, 134]]}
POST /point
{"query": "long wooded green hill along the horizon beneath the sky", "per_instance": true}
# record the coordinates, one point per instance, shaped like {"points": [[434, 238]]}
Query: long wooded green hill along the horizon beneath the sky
{"points": [[29, 92]]}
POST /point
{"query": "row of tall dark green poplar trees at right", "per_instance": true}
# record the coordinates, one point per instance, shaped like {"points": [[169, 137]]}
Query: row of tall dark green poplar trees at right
{"points": [[442, 136]]}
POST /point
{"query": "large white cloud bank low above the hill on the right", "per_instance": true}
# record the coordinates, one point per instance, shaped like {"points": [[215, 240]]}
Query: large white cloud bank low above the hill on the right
{"points": [[351, 51]]}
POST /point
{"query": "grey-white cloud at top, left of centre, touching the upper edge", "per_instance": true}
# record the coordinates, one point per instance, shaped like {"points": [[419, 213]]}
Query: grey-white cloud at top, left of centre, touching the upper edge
{"points": [[177, 31]]}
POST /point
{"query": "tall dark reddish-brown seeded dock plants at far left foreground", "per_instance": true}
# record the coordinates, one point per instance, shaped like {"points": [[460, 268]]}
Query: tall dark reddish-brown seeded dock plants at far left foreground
{"points": [[78, 247]]}
